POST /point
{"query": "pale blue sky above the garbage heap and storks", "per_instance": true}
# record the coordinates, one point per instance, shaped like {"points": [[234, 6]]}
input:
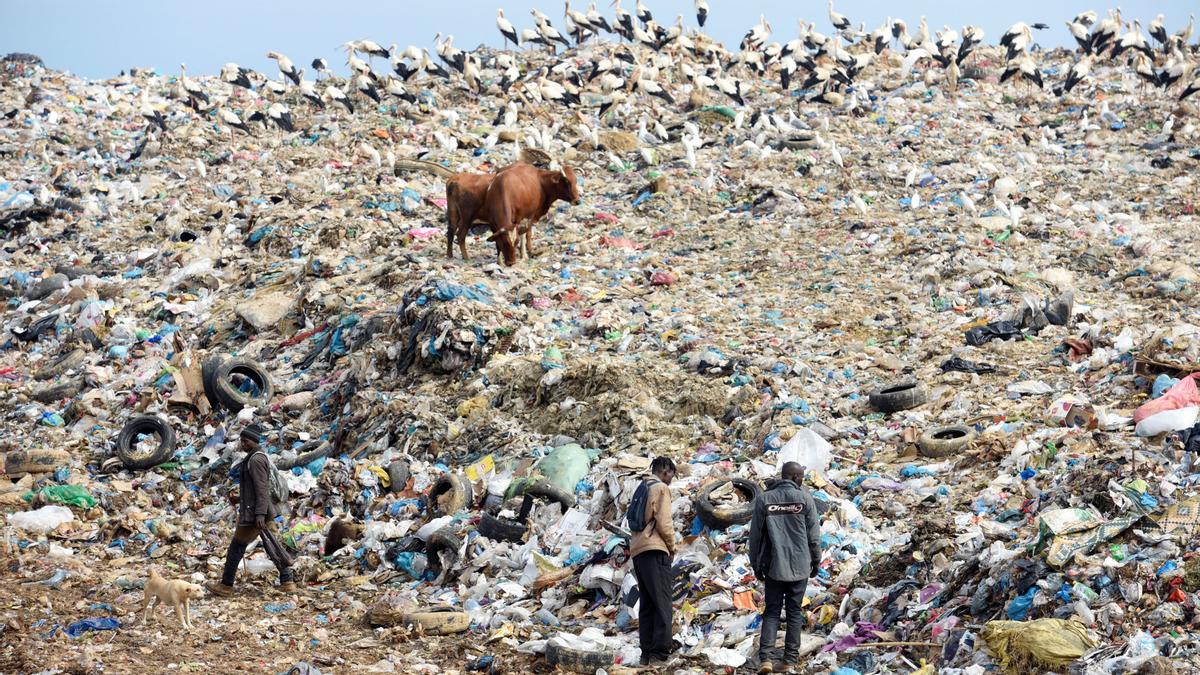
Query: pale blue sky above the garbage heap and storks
{"points": [[99, 39]]}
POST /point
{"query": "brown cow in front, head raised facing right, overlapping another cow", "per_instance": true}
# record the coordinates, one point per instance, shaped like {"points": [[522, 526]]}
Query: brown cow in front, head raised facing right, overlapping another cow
{"points": [[519, 198]]}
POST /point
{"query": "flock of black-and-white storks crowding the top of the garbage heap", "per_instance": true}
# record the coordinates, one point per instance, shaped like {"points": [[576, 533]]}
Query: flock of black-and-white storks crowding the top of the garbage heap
{"points": [[651, 62]]}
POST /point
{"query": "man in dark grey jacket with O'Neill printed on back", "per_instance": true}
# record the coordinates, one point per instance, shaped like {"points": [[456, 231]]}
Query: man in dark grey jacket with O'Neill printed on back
{"points": [[785, 552]]}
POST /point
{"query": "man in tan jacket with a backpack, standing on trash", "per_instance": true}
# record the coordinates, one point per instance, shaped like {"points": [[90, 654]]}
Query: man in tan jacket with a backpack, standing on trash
{"points": [[653, 549]]}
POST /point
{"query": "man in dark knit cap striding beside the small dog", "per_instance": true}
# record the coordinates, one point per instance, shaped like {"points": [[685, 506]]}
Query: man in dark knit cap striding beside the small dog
{"points": [[256, 516]]}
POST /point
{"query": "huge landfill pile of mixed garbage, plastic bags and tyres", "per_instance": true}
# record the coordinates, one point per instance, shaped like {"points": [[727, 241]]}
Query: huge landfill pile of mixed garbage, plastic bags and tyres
{"points": [[969, 309]]}
